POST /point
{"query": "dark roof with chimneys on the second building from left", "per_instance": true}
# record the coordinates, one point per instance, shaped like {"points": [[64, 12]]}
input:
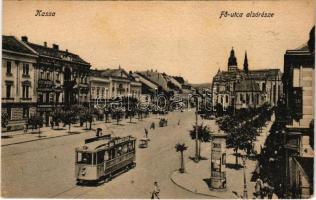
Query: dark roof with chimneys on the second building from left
{"points": [[56, 53]]}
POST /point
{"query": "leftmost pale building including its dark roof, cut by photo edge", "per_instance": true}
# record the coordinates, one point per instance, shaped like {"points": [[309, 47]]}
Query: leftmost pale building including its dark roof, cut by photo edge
{"points": [[18, 82]]}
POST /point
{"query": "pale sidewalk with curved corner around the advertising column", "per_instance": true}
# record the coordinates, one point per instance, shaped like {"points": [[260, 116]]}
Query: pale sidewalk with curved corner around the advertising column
{"points": [[195, 175]]}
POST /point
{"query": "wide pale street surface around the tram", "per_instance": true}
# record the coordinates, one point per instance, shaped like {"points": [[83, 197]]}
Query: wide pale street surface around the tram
{"points": [[45, 168]]}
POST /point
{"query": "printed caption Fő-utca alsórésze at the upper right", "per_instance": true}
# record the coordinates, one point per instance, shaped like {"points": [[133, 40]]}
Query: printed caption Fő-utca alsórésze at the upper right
{"points": [[226, 14]]}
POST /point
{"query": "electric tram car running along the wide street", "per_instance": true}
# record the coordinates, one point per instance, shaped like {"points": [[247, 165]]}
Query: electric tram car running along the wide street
{"points": [[102, 157]]}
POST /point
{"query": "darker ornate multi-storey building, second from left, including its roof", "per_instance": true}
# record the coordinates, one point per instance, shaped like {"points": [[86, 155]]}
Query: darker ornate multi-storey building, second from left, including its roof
{"points": [[61, 78]]}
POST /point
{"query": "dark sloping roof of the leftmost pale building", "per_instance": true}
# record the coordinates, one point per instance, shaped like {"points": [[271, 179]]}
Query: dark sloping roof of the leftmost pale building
{"points": [[12, 44]]}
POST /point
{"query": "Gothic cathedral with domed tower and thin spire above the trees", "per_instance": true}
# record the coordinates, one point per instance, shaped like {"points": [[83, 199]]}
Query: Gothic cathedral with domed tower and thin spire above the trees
{"points": [[231, 88]]}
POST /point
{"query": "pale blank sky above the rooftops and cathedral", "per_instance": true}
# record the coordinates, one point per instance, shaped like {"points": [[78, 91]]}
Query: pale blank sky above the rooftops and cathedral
{"points": [[178, 38]]}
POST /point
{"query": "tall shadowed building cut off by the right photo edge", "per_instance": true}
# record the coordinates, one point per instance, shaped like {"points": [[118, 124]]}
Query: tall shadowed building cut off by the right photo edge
{"points": [[299, 81]]}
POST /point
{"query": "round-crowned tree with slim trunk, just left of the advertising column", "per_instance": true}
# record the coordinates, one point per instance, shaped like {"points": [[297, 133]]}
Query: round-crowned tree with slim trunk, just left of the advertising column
{"points": [[203, 135]]}
